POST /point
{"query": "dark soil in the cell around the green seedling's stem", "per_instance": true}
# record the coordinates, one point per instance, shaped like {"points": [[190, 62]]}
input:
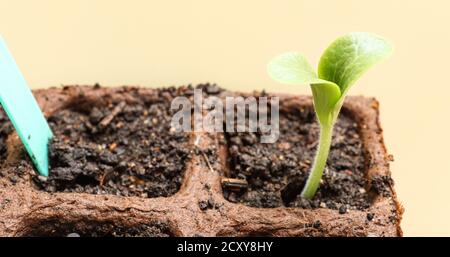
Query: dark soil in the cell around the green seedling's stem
{"points": [[276, 173]]}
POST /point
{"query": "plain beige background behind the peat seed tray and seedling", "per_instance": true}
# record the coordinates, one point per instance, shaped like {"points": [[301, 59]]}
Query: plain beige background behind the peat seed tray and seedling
{"points": [[162, 43]]}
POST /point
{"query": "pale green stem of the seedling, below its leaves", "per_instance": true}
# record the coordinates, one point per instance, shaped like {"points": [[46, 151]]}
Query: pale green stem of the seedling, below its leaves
{"points": [[312, 184]]}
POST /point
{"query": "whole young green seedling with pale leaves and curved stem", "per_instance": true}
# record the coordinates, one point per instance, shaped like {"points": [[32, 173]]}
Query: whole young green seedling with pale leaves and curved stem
{"points": [[342, 63]]}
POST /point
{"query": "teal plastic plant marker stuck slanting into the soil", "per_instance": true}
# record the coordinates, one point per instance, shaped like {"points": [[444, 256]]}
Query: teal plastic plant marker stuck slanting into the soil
{"points": [[23, 111]]}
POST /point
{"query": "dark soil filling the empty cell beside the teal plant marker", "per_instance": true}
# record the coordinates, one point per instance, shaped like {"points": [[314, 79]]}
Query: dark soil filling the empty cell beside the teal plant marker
{"points": [[126, 149]]}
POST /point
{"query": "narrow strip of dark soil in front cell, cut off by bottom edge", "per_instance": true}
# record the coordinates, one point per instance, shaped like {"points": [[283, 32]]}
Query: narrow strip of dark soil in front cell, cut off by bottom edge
{"points": [[82, 228]]}
